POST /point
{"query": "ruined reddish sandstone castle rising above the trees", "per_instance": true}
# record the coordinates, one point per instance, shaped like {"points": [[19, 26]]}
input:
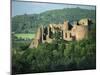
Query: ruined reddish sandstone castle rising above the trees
{"points": [[77, 31]]}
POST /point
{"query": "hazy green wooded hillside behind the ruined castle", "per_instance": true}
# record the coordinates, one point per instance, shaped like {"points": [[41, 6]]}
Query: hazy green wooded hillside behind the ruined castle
{"points": [[28, 23]]}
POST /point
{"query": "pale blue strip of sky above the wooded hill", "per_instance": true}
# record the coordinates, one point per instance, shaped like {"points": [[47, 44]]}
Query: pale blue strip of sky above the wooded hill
{"points": [[20, 8]]}
